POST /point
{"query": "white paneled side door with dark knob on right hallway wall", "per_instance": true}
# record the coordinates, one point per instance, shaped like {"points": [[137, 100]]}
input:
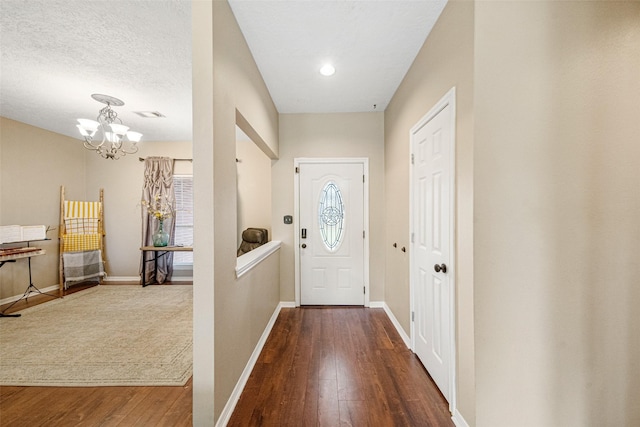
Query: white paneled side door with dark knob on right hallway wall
{"points": [[431, 144]]}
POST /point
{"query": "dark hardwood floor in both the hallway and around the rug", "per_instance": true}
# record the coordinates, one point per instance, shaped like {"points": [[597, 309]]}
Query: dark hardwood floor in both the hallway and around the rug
{"points": [[319, 367]]}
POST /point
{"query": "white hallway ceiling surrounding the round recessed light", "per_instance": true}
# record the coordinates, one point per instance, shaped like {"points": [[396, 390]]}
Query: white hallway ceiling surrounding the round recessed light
{"points": [[371, 44]]}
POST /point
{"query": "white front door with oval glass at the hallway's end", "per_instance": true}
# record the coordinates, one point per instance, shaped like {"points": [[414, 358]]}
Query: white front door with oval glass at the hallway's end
{"points": [[331, 233]]}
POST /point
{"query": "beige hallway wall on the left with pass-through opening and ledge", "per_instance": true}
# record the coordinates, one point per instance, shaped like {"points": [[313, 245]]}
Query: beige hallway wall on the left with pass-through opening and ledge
{"points": [[226, 80]]}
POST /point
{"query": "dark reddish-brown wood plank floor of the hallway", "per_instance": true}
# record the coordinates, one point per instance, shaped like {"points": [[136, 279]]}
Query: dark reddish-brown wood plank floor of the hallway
{"points": [[338, 367]]}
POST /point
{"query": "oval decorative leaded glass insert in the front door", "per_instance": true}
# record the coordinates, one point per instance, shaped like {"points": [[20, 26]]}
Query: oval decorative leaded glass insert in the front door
{"points": [[331, 215]]}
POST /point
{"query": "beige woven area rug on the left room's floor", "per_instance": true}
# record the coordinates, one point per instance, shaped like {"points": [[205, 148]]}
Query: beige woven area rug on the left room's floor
{"points": [[104, 336]]}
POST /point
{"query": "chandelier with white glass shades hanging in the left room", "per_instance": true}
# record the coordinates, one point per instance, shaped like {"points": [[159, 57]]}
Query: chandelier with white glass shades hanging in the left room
{"points": [[112, 135]]}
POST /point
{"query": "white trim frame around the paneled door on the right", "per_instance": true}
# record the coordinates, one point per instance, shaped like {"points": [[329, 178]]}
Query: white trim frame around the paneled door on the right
{"points": [[449, 99]]}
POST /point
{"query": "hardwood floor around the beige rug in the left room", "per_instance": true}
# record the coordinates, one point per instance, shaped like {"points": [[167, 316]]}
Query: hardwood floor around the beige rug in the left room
{"points": [[93, 406]]}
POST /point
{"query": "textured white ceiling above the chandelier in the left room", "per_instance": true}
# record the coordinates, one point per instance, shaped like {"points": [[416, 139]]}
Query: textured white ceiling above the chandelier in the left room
{"points": [[56, 53]]}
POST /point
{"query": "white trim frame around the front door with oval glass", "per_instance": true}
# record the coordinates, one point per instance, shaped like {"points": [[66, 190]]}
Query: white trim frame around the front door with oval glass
{"points": [[296, 217]]}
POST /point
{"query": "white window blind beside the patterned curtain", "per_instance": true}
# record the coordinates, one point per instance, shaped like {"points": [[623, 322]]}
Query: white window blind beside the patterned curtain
{"points": [[183, 187]]}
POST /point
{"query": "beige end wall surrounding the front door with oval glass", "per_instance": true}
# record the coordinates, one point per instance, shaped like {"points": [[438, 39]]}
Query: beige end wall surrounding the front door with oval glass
{"points": [[329, 135]]}
